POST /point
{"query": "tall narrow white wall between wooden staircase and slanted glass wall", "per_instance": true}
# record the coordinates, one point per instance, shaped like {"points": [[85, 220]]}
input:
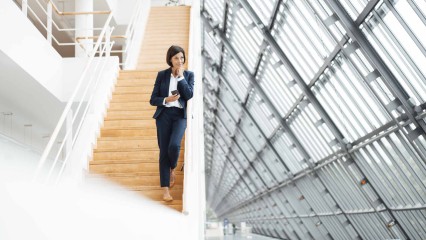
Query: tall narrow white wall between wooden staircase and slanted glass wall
{"points": [[194, 181]]}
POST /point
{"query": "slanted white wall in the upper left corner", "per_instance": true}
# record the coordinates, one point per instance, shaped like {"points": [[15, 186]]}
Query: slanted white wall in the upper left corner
{"points": [[25, 45]]}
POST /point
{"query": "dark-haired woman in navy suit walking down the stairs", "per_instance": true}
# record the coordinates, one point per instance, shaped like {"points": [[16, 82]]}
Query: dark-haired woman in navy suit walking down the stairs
{"points": [[173, 88]]}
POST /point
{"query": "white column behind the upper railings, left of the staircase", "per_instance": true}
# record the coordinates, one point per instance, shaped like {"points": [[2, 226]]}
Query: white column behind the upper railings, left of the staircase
{"points": [[84, 26]]}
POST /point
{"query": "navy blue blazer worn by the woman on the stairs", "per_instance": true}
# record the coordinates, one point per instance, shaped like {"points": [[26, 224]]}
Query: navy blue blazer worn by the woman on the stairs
{"points": [[161, 90]]}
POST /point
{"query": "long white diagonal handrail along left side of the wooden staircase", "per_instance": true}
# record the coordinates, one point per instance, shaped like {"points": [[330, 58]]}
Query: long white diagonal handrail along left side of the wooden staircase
{"points": [[72, 99]]}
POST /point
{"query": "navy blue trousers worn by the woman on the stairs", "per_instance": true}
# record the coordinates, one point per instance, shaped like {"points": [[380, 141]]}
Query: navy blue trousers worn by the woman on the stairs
{"points": [[171, 126]]}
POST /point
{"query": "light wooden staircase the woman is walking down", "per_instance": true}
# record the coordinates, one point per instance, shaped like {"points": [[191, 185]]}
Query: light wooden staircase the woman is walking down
{"points": [[127, 149]]}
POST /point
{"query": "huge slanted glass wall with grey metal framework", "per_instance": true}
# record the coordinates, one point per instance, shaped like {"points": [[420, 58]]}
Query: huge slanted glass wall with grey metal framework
{"points": [[316, 116]]}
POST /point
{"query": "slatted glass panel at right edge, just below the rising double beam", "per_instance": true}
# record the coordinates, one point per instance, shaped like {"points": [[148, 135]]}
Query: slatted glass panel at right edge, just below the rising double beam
{"points": [[395, 170]]}
